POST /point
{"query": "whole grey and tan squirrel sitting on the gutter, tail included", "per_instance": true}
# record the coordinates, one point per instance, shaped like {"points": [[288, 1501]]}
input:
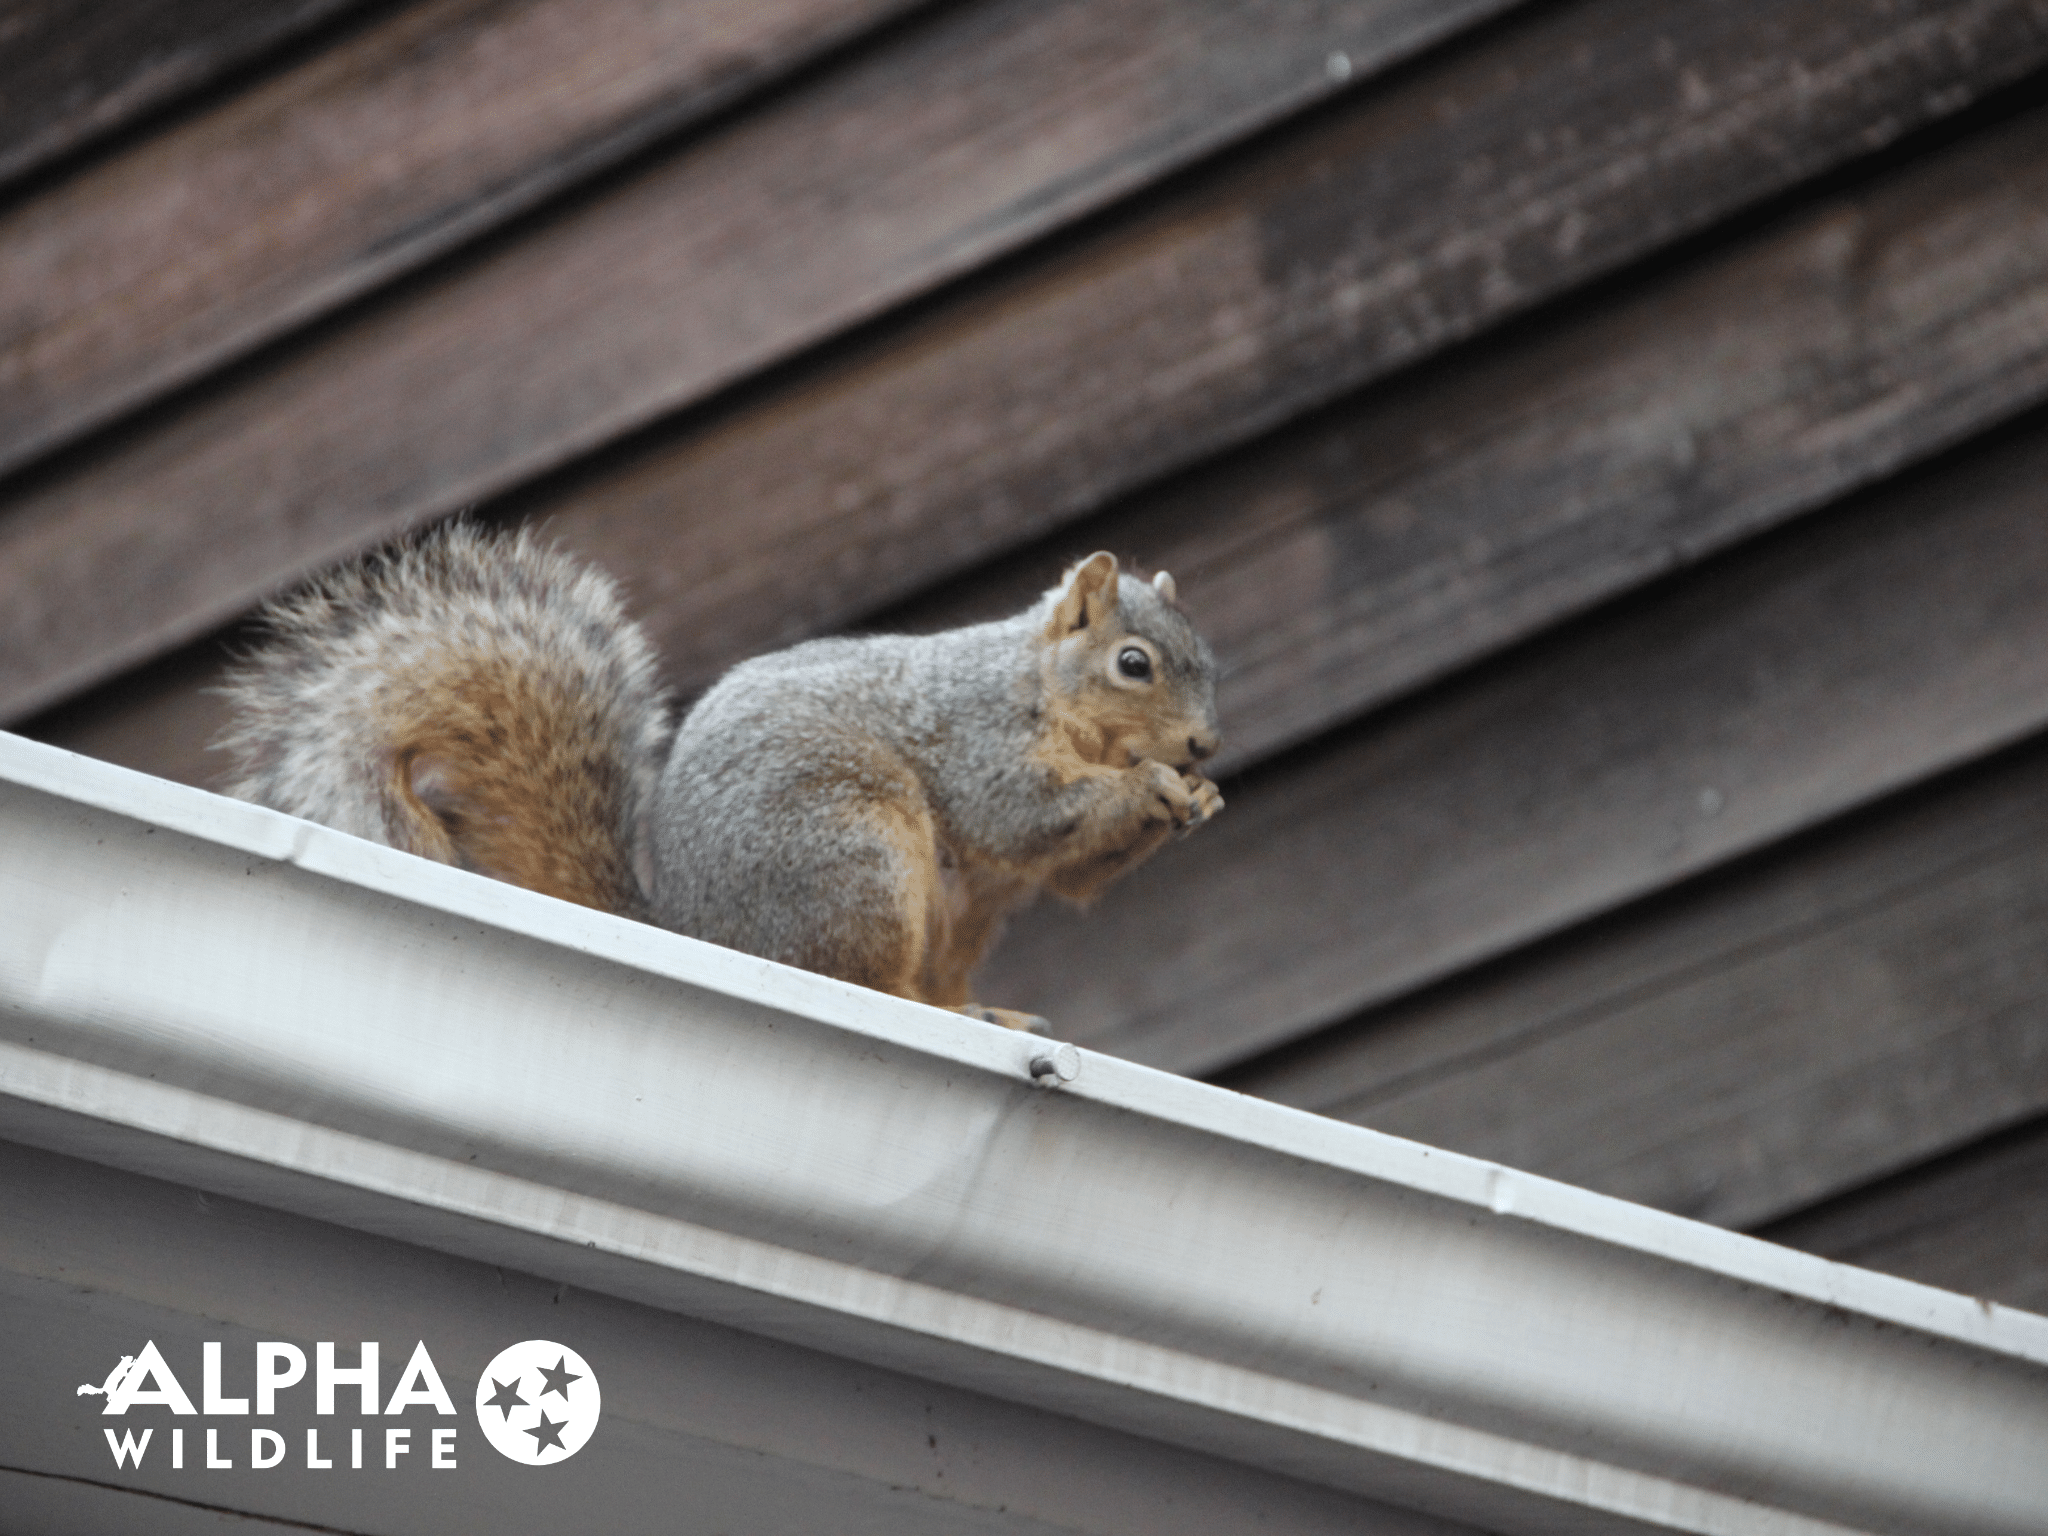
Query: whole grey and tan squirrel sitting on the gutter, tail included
{"points": [[871, 810]]}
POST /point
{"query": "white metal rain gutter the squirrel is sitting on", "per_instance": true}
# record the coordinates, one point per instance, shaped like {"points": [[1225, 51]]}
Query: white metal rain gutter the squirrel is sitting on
{"points": [[216, 994]]}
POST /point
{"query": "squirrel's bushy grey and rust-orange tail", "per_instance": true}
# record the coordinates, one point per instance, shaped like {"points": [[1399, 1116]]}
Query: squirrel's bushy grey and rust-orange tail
{"points": [[472, 697]]}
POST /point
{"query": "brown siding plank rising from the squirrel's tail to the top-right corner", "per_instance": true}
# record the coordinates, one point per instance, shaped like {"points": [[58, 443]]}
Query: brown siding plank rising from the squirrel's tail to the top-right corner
{"points": [[1480, 185]]}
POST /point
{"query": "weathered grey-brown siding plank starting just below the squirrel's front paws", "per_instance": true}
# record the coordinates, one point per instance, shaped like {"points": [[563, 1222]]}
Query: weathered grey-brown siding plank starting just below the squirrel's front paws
{"points": [[1789, 683]]}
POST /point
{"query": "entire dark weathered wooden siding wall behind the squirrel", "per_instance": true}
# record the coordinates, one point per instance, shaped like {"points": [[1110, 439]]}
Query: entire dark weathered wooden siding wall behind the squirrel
{"points": [[1605, 439]]}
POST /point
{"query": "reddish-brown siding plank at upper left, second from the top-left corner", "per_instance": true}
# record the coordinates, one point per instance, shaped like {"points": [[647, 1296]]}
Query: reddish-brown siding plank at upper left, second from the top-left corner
{"points": [[347, 171]]}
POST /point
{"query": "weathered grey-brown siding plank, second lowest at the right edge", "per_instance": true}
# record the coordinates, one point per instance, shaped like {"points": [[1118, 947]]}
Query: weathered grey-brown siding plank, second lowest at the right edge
{"points": [[1799, 1027]]}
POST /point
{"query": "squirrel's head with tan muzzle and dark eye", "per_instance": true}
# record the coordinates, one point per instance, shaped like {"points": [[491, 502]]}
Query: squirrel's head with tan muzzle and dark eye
{"points": [[1125, 669]]}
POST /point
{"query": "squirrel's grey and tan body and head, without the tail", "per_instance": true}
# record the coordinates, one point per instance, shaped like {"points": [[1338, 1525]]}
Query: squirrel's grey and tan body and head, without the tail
{"points": [[876, 808]]}
